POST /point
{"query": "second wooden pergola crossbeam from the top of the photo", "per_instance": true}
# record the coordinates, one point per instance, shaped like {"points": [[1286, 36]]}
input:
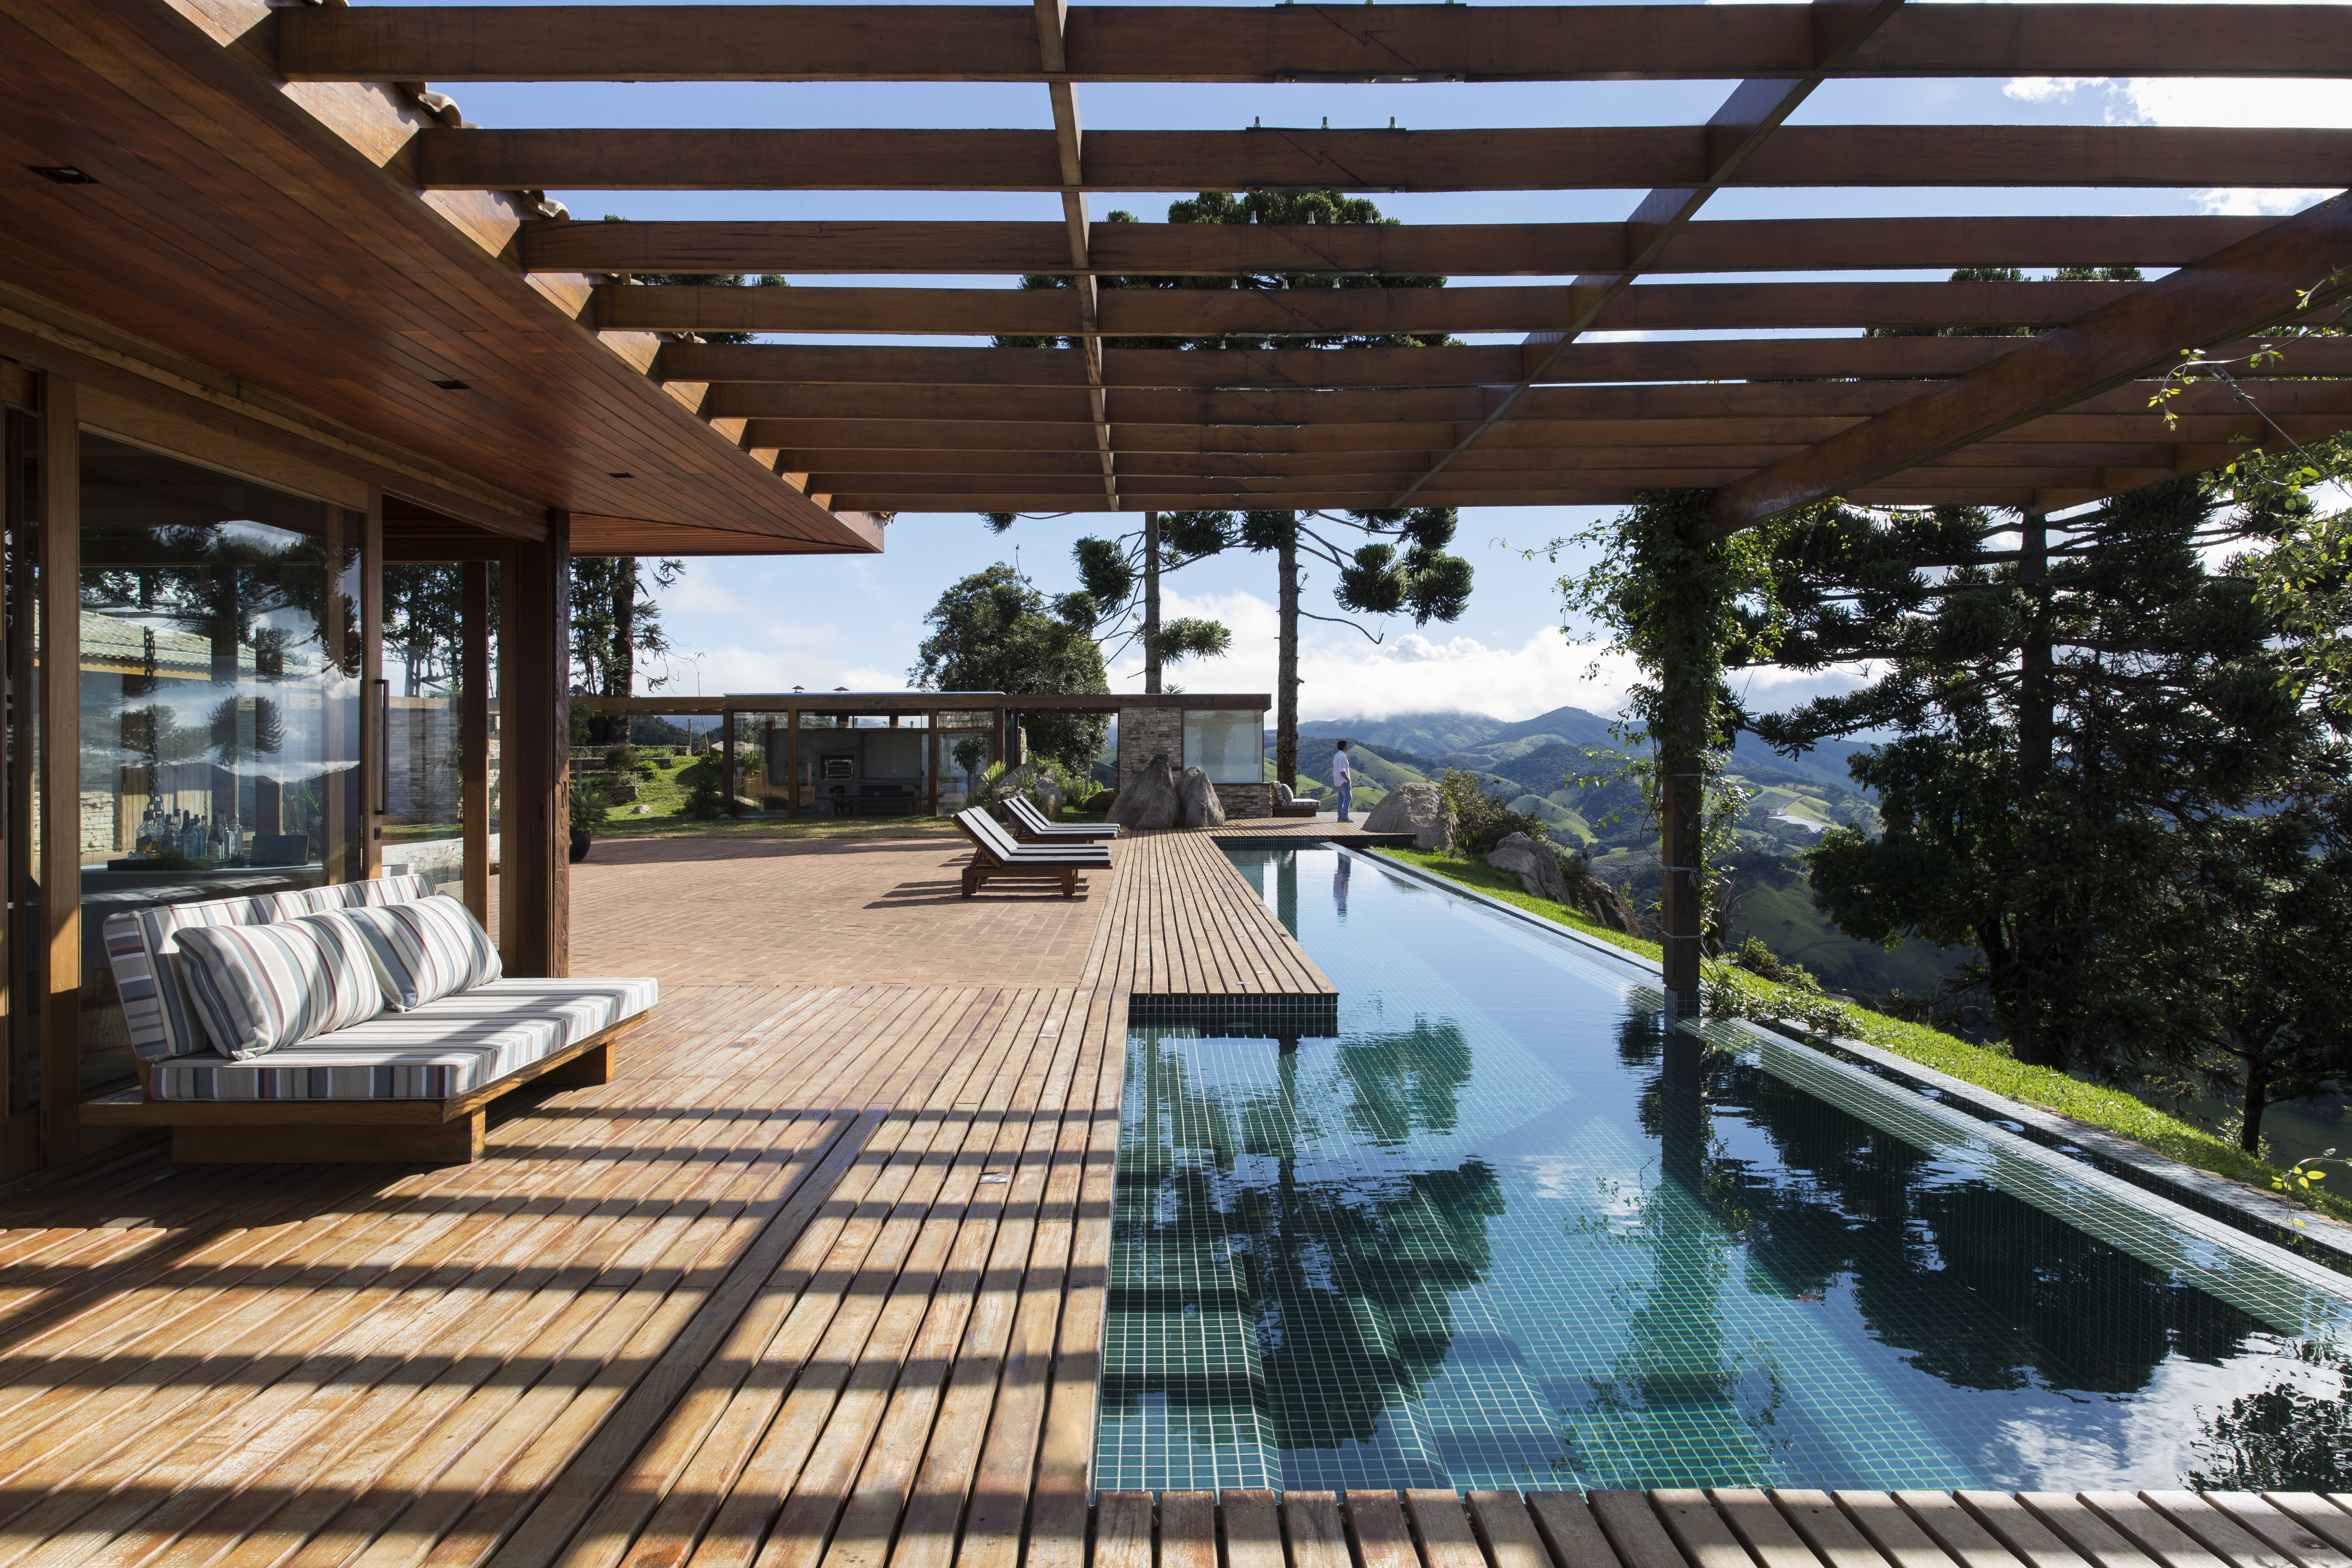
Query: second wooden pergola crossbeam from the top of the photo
{"points": [[1539, 159]]}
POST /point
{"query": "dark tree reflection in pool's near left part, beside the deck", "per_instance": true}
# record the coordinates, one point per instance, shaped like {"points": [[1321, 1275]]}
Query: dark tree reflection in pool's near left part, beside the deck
{"points": [[1335, 1278]]}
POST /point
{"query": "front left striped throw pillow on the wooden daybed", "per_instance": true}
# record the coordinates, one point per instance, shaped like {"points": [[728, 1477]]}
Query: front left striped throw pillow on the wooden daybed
{"points": [[260, 989]]}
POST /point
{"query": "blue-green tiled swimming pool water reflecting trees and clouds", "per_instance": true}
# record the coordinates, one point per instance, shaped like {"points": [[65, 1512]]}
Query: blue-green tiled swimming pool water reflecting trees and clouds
{"points": [[1509, 1228]]}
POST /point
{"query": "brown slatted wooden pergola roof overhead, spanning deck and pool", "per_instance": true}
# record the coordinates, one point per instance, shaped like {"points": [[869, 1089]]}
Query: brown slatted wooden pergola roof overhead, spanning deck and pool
{"points": [[2043, 422]]}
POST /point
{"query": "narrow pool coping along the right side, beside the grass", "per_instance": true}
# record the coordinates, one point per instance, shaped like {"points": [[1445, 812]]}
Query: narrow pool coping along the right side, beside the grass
{"points": [[2269, 1219]]}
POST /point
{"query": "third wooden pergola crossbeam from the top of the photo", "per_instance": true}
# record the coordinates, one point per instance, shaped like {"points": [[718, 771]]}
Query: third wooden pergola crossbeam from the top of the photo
{"points": [[1457, 250]]}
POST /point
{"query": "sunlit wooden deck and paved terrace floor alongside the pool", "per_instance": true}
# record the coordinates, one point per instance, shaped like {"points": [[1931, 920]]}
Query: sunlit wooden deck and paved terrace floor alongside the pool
{"points": [[815, 1282]]}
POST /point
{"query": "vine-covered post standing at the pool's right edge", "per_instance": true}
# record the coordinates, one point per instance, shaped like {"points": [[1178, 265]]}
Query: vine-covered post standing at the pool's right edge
{"points": [[1685, 608]]}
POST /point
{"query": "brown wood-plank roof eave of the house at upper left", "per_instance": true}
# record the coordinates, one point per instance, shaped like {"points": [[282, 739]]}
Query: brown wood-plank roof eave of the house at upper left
{"points": [[368, 288]]}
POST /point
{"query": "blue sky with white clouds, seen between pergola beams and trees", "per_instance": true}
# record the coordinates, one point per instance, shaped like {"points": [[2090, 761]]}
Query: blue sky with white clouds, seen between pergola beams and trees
{"points": [[855, 622]]}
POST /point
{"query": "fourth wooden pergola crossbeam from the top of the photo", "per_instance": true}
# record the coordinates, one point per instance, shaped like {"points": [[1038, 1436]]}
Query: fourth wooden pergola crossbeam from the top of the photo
{"points": [[1198, 314]]}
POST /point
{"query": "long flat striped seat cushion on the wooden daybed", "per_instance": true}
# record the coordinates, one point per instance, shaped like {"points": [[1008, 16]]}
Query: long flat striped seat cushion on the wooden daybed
{"points": [[441, 1050]]}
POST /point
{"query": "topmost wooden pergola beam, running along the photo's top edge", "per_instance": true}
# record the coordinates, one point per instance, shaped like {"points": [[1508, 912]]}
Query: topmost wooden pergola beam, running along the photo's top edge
{"points": [[991, 43]]}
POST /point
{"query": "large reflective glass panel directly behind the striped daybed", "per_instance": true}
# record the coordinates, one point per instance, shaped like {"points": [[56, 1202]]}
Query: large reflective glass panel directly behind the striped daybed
{"points": [[220, 674]]}
